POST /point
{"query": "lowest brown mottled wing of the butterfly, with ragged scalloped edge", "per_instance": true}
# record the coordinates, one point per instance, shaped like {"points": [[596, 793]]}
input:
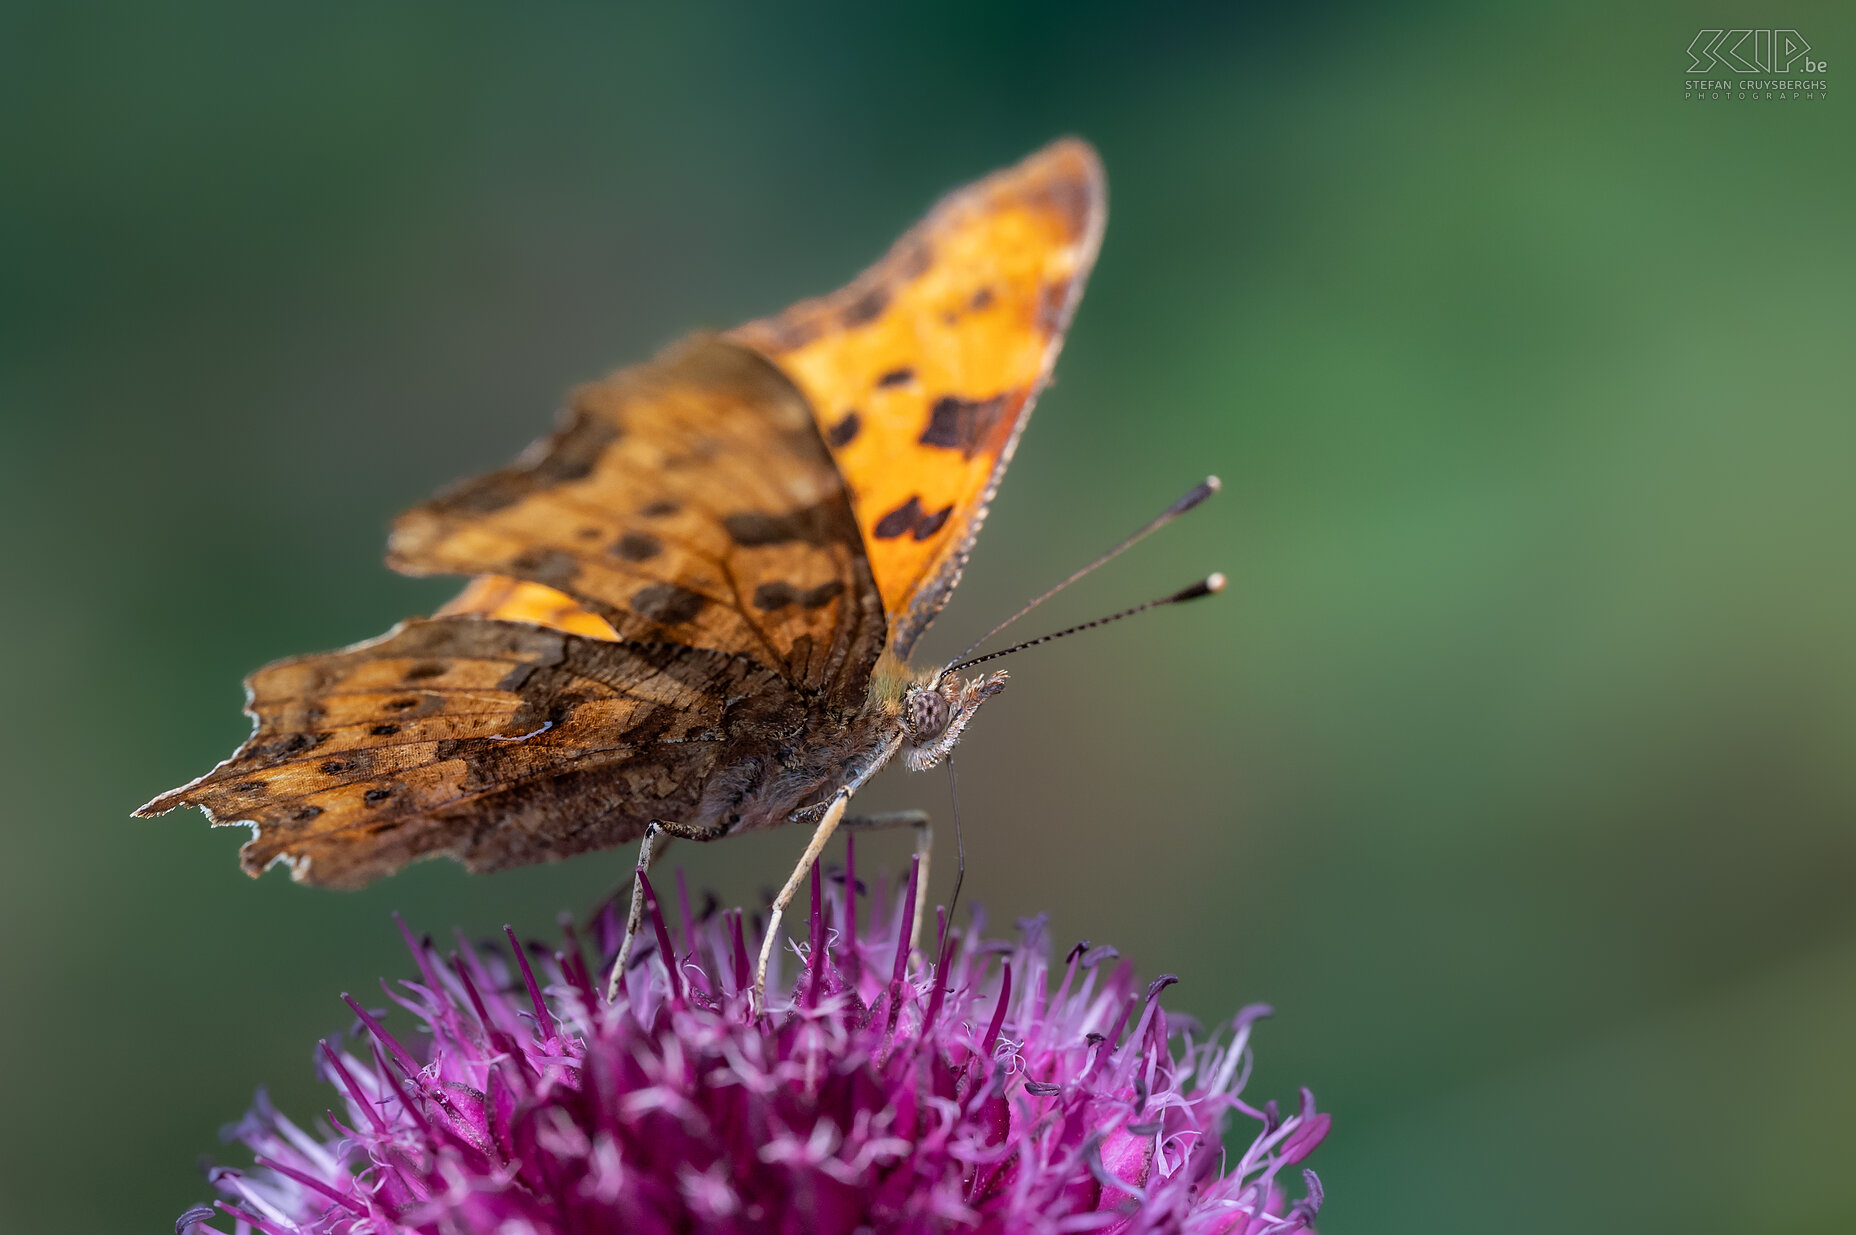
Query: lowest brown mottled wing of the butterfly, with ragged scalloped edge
{"points": [[491, 742]]}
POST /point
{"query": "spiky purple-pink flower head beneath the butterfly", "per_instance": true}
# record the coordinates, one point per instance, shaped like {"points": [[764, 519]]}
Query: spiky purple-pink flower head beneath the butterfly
{"points": [[1016, 1097]]}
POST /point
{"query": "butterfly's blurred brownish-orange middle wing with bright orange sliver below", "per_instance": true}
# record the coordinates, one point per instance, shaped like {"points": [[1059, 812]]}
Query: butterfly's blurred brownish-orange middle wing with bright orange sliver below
{"points": [[688, 500]]}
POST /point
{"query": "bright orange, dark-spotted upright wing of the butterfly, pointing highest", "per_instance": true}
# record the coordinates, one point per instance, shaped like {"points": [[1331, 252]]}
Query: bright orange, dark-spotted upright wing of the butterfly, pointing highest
{"points": [[925, 369]]}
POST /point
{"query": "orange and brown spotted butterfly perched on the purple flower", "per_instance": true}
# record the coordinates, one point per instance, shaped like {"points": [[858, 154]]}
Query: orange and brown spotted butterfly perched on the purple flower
{"points": [[693, 604]]}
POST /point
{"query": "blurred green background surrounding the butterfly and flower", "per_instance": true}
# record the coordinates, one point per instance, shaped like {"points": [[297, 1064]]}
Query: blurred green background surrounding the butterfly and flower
{"points": [[1515, 768]]}
